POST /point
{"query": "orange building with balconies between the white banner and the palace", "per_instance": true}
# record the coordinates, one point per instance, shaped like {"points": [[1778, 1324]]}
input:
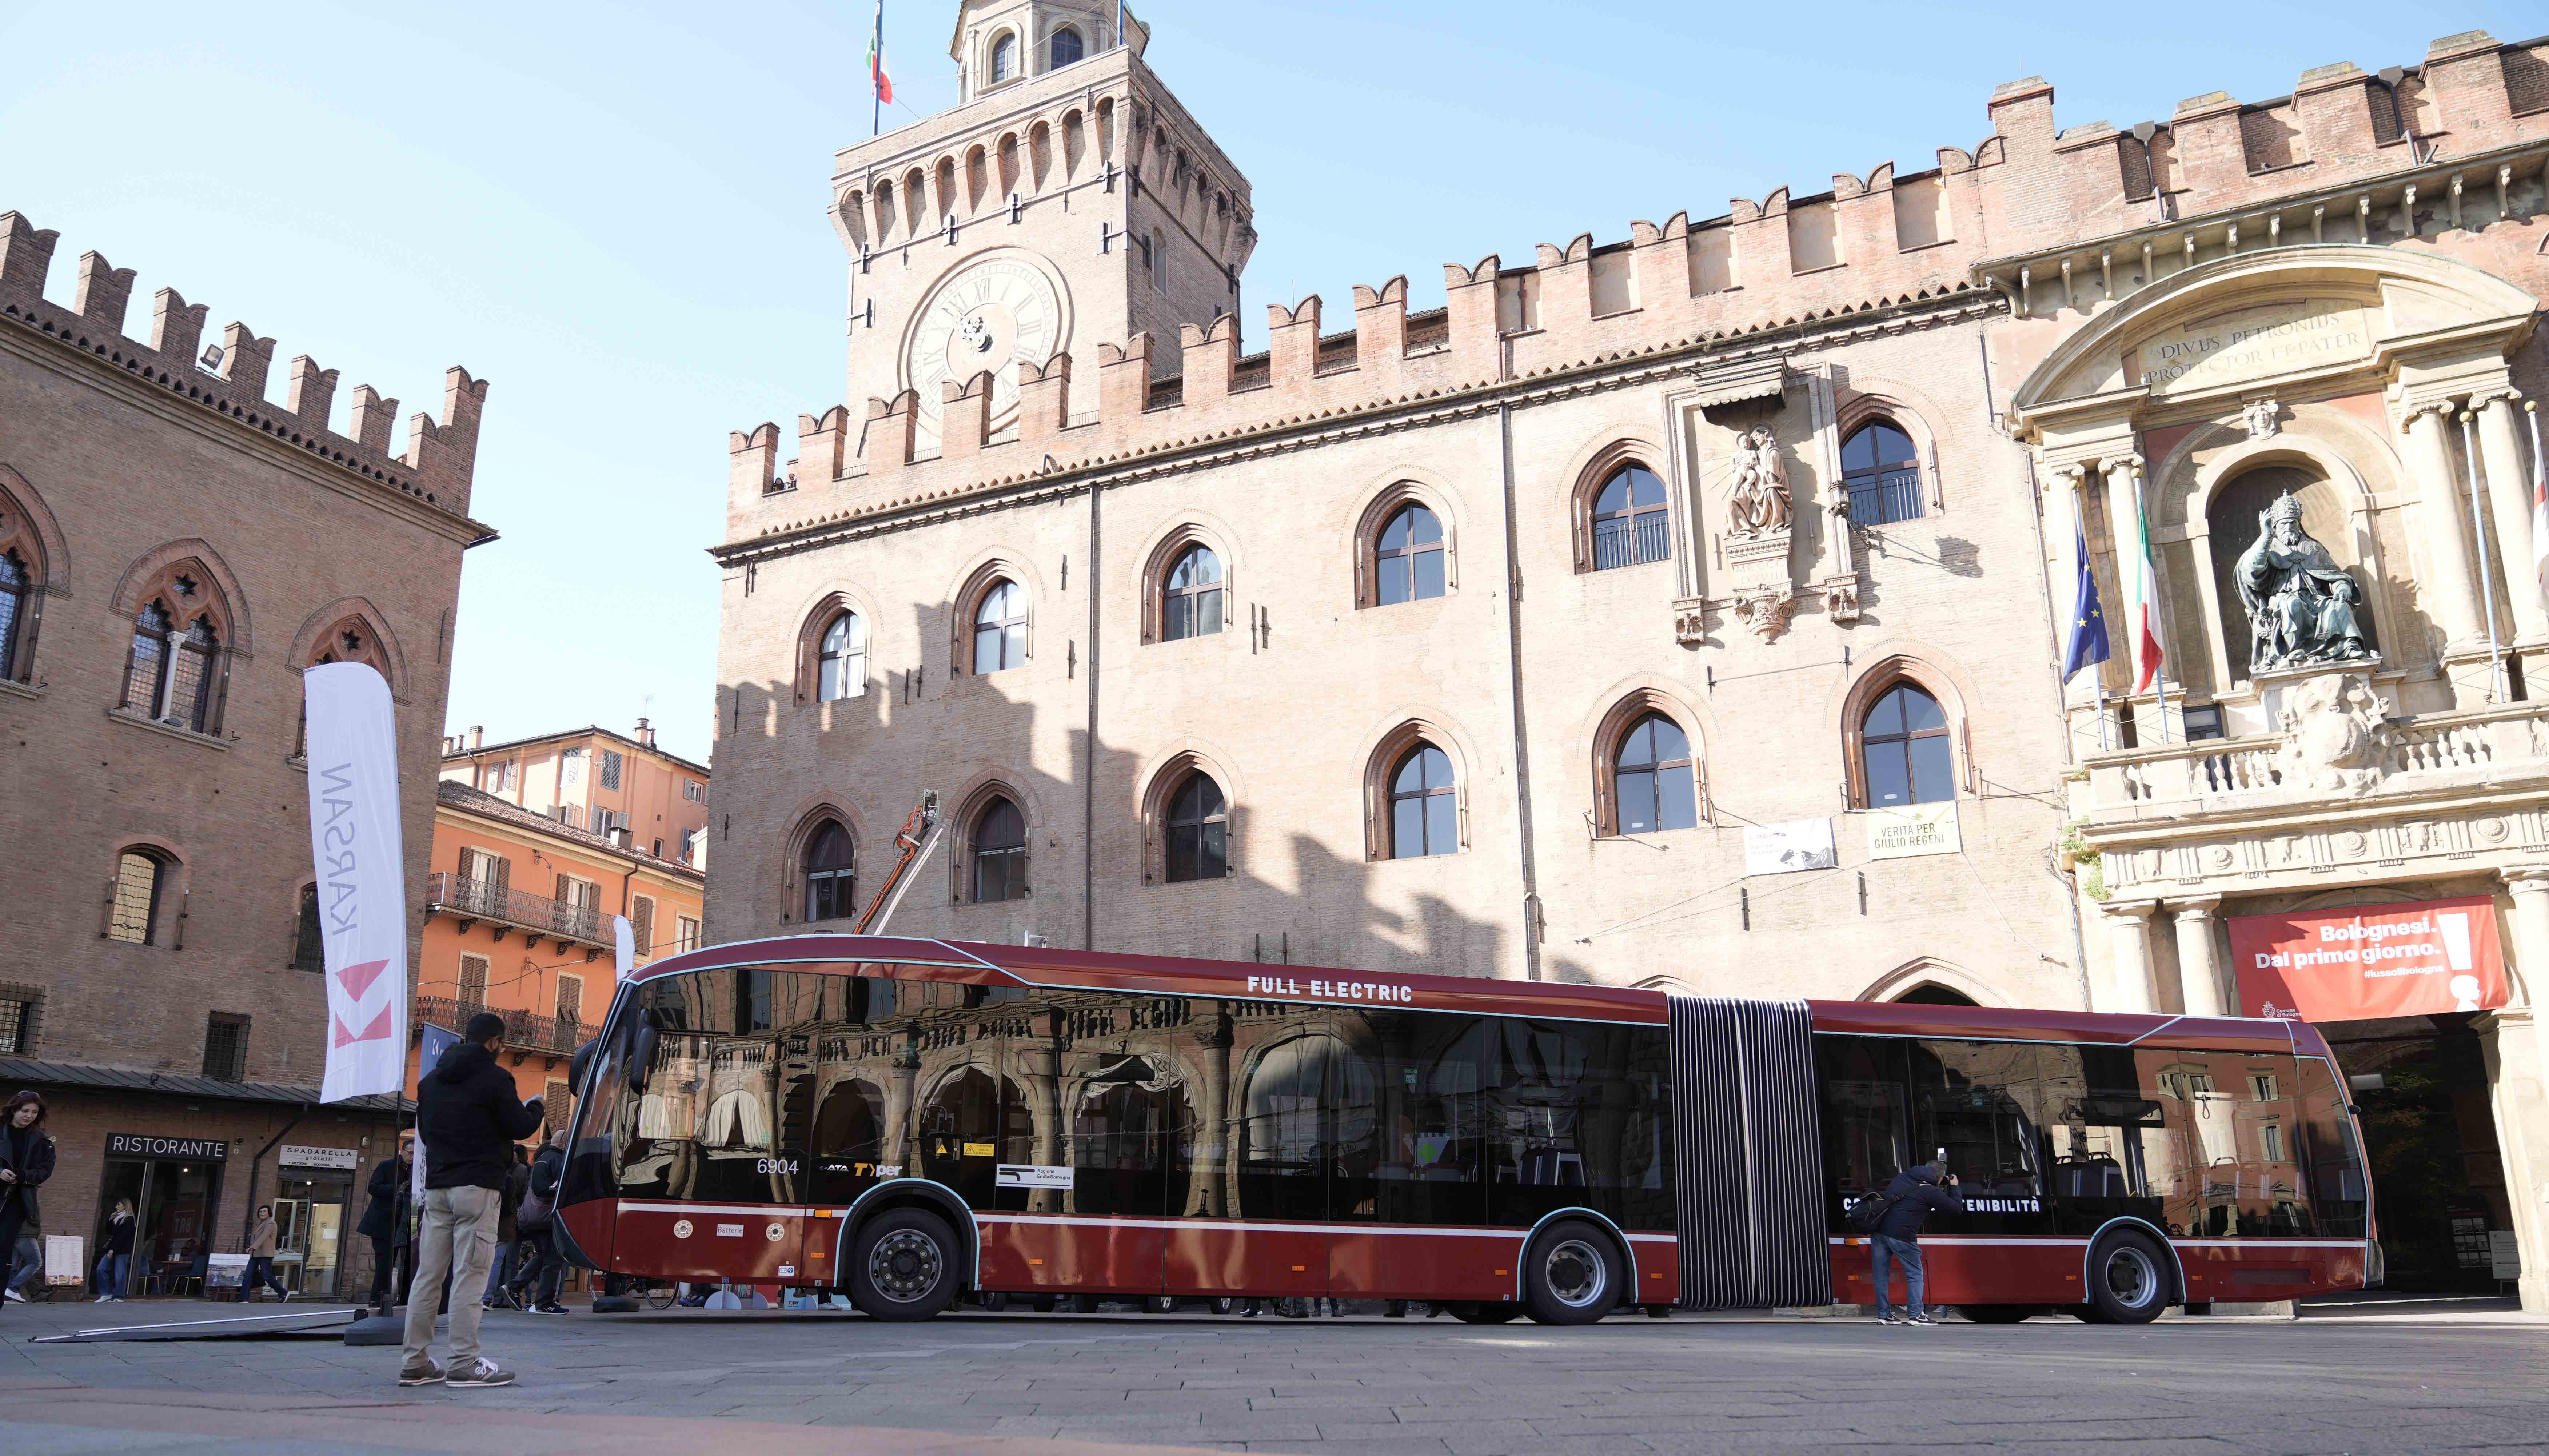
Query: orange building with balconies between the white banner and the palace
{"points": [[537, 848]]}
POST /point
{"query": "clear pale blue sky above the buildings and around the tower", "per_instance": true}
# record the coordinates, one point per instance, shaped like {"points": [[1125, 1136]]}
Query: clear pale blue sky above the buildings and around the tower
{"points": [[618, 213]]}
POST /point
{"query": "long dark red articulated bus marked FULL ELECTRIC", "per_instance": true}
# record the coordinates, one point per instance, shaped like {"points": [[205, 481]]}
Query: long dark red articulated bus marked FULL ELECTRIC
{"points": [[919, 1123]]}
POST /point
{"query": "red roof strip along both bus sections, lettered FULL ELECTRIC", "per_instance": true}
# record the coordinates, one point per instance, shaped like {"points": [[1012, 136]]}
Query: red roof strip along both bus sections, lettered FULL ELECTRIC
{"points": [[1480, 996]]}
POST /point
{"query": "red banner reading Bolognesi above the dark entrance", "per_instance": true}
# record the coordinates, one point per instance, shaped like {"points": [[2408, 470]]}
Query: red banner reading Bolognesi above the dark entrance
{"points": [[2372, 963]]}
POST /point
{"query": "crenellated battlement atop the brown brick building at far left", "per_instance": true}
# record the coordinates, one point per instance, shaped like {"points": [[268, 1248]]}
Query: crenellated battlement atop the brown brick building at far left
{"points": [[440, 460]]}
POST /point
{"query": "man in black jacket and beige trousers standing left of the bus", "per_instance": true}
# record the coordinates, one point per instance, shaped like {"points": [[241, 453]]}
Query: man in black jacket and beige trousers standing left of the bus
{"points": [[468, 1121]]}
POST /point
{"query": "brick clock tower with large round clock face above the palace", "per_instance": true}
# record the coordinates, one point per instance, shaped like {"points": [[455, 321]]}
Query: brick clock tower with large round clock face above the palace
{"points": [[1067, 200]]}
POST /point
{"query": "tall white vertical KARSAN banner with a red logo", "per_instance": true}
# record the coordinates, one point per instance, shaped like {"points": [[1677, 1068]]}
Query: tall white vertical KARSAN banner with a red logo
{"points": [[363, 889]]}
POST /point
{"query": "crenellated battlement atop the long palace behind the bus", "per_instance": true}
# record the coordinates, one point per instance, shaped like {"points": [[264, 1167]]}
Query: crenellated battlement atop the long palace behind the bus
{"points": [[2046, 221]]}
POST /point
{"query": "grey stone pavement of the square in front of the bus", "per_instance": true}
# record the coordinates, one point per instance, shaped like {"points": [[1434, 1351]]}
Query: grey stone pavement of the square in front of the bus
{"points": [[1039, 1386]]}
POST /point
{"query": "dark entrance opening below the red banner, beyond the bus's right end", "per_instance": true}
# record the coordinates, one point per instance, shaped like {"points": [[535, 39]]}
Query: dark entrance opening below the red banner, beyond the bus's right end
{"points": [[2420, 1088]]}
